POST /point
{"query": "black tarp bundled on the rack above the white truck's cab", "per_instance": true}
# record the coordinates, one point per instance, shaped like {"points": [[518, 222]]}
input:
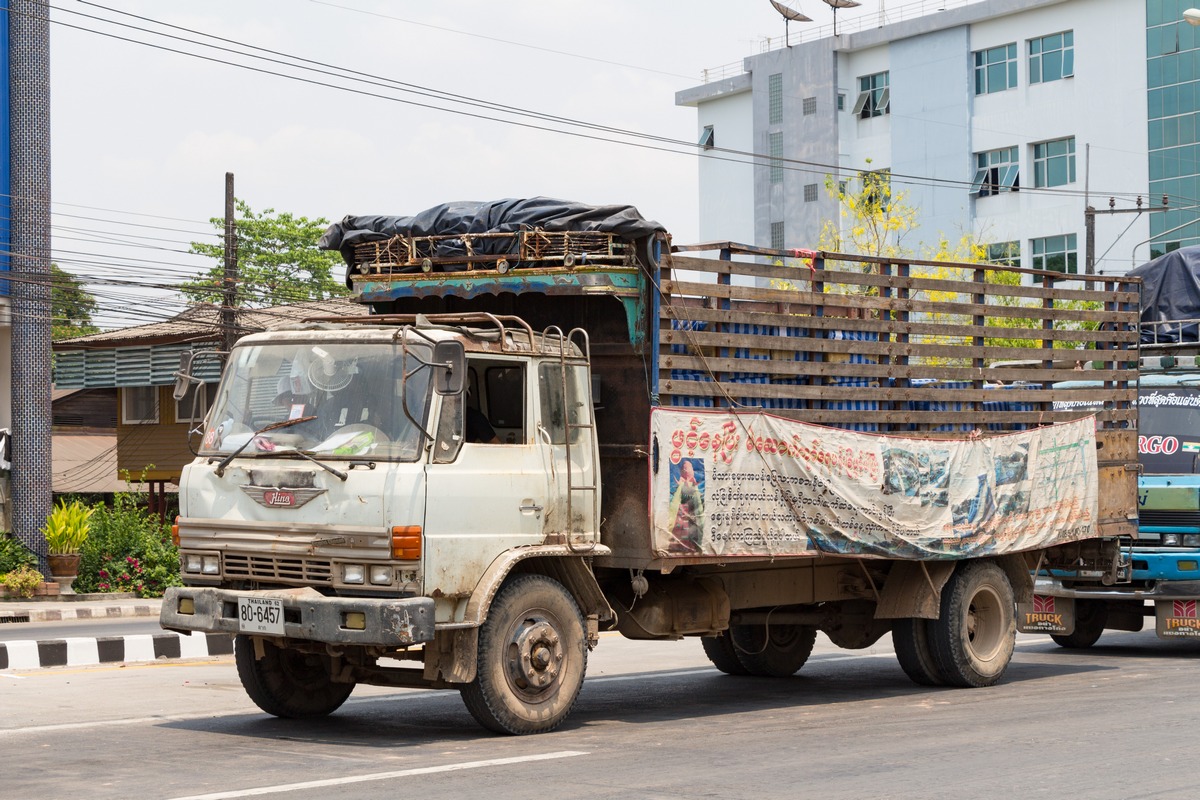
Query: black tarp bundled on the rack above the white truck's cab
{"points": [[497, 216]]}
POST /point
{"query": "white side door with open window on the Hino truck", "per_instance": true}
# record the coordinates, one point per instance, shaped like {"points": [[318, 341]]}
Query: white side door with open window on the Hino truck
{"points": [[484, 498]]}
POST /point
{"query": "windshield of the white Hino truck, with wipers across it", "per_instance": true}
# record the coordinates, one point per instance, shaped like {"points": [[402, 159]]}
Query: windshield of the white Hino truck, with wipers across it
{"points": [[347, 399]]}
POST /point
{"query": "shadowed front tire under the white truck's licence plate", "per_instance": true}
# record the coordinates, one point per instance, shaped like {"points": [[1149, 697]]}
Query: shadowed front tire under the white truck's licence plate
{"points": [[287, 683]]}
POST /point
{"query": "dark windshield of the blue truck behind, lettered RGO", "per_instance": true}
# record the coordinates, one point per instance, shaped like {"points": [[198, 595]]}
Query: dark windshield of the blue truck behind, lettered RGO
{"points": [[1169, 430]]}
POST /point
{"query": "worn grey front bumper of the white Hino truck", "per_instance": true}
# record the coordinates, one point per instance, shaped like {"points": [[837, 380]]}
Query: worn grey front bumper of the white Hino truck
{"points": [[308, 615]]}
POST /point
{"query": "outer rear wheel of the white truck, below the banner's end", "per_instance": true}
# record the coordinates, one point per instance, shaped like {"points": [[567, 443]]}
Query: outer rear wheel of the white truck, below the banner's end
{"points": [[974, 639]]}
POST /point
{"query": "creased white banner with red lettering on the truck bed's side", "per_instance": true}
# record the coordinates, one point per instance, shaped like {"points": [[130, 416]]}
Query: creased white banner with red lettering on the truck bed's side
{"points": [[758, 485]]}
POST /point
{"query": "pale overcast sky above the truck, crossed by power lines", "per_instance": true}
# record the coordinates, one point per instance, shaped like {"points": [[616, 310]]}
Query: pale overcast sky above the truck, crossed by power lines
{"points": [[143, 134]]}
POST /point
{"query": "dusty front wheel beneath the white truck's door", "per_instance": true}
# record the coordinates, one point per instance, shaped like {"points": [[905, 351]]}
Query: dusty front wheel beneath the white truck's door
{"points": [[532, 659]]}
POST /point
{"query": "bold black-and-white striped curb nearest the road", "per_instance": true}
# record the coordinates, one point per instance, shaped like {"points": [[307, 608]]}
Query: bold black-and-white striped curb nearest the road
{"points": [[112, 649]]}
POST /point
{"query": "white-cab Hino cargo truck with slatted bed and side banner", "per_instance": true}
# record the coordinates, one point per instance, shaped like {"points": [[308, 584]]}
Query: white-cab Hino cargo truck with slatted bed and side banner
{"points": [[465, 488]]}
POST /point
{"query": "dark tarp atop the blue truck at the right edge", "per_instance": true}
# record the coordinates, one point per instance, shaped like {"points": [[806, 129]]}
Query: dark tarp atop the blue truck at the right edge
{"points": [[1171, 291]]}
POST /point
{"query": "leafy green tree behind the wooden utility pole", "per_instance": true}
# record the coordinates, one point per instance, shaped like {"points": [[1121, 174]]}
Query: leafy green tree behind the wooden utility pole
{"points": [[279, 262]]}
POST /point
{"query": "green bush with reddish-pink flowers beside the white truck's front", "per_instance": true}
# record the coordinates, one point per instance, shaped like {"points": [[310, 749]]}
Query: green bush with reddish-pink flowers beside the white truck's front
{"points": [[128, 550]]}
